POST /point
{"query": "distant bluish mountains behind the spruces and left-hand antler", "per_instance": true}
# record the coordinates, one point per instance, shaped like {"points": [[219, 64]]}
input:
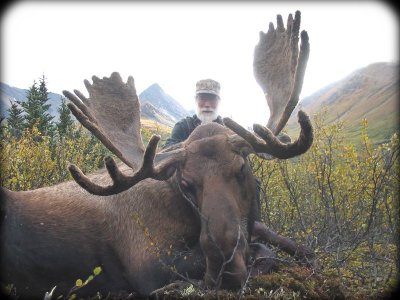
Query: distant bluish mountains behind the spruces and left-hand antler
{"points": [[156, 105]]}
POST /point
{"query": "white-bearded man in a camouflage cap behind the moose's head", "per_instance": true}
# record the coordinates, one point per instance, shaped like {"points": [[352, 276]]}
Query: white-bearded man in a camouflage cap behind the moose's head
{"points": [[207, 102]]}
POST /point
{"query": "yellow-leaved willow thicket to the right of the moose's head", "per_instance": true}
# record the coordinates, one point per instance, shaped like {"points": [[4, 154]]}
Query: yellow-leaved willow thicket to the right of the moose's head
{"points": [[341, 200]]}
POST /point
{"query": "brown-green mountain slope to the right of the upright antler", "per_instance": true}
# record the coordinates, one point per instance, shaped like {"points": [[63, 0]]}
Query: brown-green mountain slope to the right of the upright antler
{"points": [[371, 92]]}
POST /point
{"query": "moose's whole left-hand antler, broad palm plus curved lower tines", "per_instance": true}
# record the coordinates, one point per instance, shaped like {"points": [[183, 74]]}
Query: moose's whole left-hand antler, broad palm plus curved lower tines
{"points": [[112, 114]]}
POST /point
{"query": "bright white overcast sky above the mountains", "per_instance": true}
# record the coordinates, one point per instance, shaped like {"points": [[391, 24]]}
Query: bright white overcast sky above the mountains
{"points": [[176, 43]]}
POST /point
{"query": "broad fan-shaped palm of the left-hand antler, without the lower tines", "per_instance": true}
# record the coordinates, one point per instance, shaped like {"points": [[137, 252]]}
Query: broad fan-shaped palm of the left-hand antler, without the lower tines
{"points": [[112, 114]]}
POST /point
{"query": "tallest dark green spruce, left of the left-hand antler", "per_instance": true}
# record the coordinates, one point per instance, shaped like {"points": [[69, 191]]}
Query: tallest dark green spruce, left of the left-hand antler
{"points": [[36, 108]]}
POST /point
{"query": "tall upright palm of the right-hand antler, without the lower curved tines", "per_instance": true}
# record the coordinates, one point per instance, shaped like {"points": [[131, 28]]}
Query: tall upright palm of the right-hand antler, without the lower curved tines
{"points": [[279, 68]]}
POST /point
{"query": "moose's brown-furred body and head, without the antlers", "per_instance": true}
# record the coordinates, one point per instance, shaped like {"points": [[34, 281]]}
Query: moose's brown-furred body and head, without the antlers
{"points": [[53, 236]]}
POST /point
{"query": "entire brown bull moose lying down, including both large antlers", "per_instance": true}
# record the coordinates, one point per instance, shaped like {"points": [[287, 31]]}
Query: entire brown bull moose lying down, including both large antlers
{"points": [[150, 217]]}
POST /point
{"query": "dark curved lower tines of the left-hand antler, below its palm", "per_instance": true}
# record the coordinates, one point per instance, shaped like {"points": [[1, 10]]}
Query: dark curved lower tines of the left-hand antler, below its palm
{"points": [[122, 182]]}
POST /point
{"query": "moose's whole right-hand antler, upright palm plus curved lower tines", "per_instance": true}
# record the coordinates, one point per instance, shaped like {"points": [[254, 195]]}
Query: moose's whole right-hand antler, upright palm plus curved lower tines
{"points": [[279, 69]]}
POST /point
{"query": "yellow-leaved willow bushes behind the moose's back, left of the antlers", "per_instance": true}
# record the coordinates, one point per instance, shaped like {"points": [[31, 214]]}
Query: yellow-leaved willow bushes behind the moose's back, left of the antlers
{"points": [[33, 161]]}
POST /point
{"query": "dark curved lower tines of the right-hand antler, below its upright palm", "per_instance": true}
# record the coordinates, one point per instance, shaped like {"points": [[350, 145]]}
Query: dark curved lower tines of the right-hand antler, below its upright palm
{"points": [[269, 144]]}
